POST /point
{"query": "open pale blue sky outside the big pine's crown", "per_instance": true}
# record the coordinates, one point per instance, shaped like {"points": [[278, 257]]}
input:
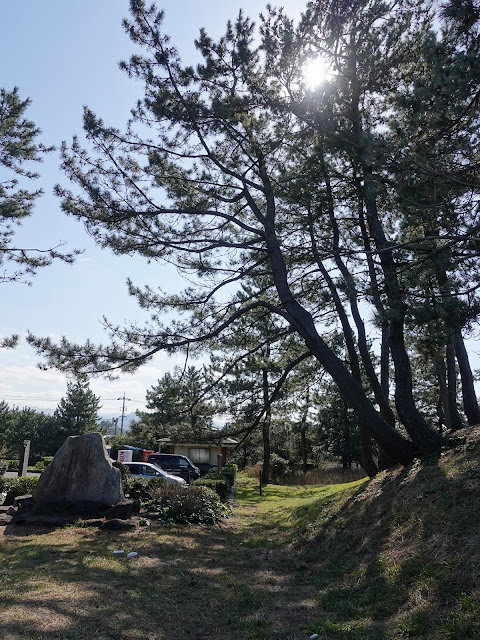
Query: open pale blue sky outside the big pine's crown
{"points": [[64, 55]]}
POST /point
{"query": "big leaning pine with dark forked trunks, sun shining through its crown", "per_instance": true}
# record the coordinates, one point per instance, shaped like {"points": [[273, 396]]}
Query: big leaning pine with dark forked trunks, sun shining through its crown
{"points": [[207, 192]]}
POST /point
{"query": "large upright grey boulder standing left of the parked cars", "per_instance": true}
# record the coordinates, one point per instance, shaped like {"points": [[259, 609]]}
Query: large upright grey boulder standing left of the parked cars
{"points": [[81, 472]]}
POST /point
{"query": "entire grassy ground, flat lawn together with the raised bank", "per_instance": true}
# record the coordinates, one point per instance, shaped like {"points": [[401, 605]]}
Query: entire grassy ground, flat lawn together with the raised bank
{"points": [[396, 557]]}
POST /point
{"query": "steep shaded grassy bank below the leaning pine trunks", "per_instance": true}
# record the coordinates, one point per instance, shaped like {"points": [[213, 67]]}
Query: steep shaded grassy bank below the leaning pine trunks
{"points": [[401, 557]]}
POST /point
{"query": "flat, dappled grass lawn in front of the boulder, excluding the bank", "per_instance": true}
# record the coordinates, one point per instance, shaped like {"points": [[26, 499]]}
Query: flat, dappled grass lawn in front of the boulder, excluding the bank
{"points": [[235, 580]]}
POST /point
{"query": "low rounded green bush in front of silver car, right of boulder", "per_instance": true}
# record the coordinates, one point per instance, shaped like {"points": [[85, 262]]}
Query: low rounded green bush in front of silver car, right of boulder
{"points": [[192, 505]]}
